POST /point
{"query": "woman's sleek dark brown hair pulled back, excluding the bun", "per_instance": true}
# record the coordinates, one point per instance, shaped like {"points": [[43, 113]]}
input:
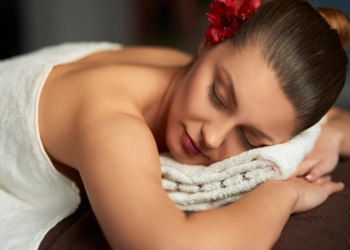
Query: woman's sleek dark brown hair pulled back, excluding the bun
{"points": [[305, 54]]}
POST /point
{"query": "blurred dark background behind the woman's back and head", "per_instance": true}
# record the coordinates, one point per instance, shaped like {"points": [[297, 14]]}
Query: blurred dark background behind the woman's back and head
{"points": [[26, 25]]}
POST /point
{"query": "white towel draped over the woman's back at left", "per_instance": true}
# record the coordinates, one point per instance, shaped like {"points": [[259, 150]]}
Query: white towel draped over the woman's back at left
{"points": [[34, 197]]}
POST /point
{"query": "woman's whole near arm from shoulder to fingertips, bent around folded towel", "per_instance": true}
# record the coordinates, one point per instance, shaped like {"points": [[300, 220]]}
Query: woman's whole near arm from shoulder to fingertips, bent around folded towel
{"points": [[119, 164]]}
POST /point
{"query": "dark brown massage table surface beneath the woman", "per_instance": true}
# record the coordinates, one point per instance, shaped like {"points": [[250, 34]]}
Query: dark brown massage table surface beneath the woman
{"points": [[325, 227]]}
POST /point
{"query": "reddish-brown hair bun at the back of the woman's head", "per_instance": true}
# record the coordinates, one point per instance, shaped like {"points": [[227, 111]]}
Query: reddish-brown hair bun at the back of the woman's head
{"points": [[338, 21]]}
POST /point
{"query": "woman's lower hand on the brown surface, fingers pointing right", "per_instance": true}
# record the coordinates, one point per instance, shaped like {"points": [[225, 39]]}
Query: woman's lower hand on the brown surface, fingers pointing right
{"points": [[311, 195]]}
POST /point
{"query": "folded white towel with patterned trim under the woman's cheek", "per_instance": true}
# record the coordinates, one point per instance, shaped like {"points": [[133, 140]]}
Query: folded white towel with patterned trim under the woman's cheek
{"points": [[198, 188]]}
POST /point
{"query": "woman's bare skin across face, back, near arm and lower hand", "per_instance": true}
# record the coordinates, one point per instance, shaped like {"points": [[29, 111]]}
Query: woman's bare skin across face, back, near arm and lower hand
{"points": [[97, 114]]}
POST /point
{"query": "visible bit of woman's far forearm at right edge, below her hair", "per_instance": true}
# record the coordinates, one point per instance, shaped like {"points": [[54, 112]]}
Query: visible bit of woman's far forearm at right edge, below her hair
{"points": [[339, 120]]}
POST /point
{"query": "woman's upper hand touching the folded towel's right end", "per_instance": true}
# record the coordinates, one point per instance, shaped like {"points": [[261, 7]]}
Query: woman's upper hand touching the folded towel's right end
{"points": [[323, 158]]}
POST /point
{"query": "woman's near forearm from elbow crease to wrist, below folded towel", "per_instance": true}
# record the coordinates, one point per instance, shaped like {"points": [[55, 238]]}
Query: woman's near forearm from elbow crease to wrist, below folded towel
{"points": [[253, 222]]}
